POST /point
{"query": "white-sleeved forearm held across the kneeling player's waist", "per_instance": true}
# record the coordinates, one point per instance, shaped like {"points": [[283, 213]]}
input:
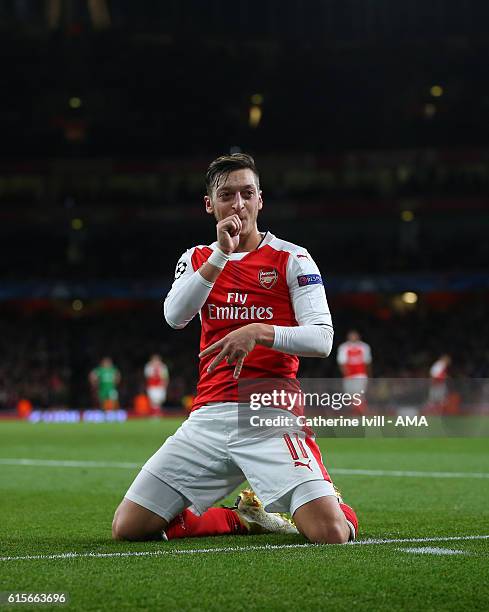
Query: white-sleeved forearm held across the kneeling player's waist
{"points": [[304, 340]]}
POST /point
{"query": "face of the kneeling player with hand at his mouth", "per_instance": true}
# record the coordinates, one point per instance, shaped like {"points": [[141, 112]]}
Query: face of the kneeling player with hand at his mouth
{"points": [[238, 193]]}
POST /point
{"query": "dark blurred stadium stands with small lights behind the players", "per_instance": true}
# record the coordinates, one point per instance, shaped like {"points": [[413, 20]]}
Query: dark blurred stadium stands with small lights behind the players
{"points": [[368, 121]]}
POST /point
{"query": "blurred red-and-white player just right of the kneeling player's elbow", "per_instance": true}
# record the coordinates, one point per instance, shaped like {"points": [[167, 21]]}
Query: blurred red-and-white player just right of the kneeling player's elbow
{"points": [[354, 358]]}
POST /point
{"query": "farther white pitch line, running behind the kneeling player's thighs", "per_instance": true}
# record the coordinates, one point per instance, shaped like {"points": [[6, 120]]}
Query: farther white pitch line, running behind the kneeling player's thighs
{"points": [[340, 471]]}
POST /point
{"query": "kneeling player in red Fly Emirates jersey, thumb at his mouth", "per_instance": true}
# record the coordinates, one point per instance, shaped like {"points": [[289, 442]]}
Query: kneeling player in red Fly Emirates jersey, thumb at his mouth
{"points": [[262, 303]]}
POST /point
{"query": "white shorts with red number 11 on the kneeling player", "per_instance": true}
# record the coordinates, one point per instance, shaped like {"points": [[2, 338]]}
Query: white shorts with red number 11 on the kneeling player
{"points": [[207, 458]]}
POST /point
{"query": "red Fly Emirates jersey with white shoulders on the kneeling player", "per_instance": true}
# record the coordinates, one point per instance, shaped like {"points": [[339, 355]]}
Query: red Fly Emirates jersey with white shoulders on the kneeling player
{"points": [[279, 284]]}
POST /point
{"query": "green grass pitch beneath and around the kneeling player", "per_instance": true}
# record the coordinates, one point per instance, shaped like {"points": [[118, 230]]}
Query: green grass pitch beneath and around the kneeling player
{"points": [[53, 509]]}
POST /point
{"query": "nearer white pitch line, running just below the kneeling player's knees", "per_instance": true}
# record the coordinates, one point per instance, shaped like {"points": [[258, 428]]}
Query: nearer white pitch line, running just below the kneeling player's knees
{"points": [[229, 549]]}
